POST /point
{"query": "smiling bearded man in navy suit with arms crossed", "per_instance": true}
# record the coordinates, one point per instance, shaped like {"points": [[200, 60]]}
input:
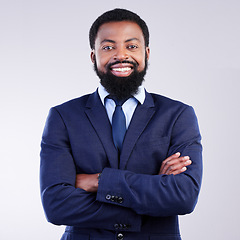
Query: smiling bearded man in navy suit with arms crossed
{"points": [[129, 181]]}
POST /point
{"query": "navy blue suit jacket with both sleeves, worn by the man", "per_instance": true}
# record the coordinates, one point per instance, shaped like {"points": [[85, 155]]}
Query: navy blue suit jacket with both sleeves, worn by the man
{"points": [[133, 201]]}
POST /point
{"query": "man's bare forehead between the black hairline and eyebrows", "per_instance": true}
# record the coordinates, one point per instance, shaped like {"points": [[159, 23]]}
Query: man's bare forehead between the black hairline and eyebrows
{"points": [[120, 31]]}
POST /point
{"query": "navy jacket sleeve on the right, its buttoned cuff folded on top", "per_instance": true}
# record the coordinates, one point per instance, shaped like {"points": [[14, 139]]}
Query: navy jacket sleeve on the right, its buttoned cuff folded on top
{"points": [[160, 195]]}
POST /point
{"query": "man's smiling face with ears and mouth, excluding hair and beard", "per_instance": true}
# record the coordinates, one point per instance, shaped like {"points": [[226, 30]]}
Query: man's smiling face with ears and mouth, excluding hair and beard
{"points": [[118, 41]]}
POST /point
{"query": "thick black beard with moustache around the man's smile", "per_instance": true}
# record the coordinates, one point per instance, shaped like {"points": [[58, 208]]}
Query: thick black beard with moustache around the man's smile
{"points": [[122, 87]]}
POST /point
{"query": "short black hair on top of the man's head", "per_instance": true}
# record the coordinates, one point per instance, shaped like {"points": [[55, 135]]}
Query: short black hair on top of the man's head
{"points": [[117, 15]]}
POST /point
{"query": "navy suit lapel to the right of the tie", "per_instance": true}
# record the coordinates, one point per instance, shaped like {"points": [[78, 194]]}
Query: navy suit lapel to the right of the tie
{"points": [[140, 120]]}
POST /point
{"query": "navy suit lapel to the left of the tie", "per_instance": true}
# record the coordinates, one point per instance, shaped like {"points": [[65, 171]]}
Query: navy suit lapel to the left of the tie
{"points": [[98, 117]]}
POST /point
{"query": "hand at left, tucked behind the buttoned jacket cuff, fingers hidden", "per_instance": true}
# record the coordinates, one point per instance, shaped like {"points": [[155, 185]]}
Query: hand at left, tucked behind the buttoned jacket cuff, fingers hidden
{"points": [[88, 182]]}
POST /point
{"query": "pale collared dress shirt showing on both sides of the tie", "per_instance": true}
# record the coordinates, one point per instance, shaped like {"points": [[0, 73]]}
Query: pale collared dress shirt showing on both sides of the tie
{"points": [[128, 107]]}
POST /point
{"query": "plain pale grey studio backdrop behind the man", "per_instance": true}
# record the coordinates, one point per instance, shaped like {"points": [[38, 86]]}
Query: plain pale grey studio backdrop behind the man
{"points": [[44, 61]]}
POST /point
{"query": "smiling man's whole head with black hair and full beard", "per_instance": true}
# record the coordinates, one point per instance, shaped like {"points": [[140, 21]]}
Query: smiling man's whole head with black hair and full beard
{"points": [[119, 40]]}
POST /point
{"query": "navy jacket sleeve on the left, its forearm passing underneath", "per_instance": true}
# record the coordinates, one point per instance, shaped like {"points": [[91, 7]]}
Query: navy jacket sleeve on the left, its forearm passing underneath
{"points": [[63, 203]]}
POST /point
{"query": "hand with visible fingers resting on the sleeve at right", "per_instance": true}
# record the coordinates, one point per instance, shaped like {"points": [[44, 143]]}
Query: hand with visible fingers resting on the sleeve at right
{"points": [[175, 164]]}
